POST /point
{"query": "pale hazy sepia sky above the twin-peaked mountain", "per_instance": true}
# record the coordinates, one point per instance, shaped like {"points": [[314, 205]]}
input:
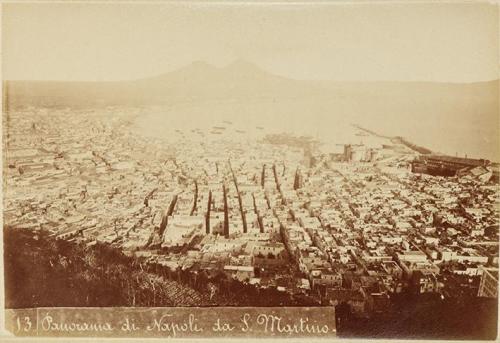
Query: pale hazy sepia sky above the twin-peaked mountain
{"points": [[386, 41]]}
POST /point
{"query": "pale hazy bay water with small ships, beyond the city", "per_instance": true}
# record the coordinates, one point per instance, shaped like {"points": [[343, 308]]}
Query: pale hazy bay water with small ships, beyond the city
{"points": [[237, 121]]}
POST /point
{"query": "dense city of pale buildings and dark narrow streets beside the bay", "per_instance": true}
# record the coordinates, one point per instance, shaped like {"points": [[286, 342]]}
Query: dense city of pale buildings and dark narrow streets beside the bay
{"points": [[354, 226]]}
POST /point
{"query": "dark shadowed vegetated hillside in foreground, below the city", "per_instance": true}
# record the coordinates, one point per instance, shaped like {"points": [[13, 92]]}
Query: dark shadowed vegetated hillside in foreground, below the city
{"points": [[43, 272]]}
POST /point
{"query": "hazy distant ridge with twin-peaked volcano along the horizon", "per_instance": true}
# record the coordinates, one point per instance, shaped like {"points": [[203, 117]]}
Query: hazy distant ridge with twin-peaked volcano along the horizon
{"points": [[202, 81]]}
